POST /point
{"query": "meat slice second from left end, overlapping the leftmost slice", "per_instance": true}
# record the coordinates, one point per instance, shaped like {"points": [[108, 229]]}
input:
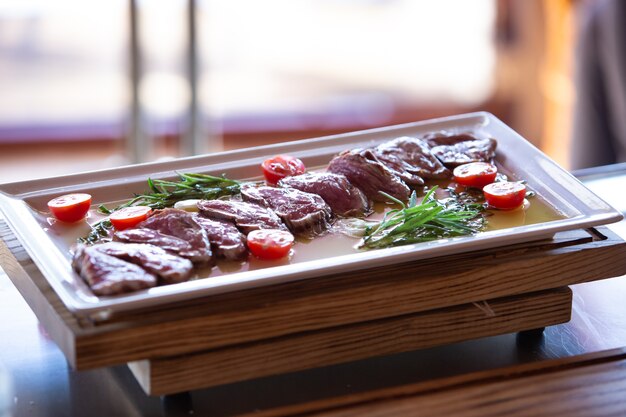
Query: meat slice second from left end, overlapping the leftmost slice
{"points": [[169, 268]]}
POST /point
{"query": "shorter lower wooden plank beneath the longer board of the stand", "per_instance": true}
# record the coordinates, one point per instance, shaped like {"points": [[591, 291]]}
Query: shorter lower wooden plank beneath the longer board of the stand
{"points": [[306, 350]]}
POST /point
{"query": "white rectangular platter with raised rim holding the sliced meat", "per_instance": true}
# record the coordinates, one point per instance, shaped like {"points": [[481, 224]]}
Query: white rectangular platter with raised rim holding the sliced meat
{"points": [[24, 207]]}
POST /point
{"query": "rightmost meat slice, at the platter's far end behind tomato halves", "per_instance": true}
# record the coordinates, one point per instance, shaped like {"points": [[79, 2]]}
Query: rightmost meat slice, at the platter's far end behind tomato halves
{"points": [[455, 150]]}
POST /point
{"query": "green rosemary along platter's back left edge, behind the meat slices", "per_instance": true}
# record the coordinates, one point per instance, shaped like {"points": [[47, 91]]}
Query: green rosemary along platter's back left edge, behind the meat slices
{"points": [[164, 193]]}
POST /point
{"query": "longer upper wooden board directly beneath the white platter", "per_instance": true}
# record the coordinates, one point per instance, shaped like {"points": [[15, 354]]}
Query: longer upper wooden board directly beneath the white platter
{"points": [[261, 314]]}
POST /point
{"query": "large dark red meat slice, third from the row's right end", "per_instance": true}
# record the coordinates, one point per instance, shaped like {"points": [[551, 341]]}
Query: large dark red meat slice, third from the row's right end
{"points": [[367, 173]]}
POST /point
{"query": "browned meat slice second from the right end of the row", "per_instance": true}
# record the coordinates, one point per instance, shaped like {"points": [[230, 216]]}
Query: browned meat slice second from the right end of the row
{"points": [[411, 159]]}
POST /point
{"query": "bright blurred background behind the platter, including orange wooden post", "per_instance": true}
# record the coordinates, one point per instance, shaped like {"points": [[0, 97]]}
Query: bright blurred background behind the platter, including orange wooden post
{"points": [[88, 84]]}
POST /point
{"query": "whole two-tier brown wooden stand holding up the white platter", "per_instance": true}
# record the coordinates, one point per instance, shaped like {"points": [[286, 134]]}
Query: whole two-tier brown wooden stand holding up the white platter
{"points": [[270, 330]]}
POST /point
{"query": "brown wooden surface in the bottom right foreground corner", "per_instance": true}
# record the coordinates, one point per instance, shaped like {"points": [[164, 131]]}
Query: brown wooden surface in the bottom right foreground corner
{"points": [[582, 386]]}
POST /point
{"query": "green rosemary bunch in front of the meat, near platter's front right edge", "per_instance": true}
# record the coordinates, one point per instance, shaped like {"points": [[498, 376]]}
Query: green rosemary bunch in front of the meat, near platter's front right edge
{"points": [[429, 220]]}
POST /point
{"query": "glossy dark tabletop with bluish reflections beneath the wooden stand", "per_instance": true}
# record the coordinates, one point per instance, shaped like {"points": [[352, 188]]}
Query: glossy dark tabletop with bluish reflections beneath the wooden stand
{"points": [[35, 379]]}
